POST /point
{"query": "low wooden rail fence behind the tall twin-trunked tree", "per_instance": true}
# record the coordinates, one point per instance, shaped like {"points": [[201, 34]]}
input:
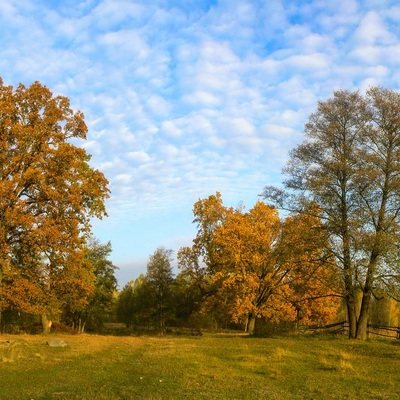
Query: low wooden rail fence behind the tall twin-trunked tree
{"points": [[343, 328]]}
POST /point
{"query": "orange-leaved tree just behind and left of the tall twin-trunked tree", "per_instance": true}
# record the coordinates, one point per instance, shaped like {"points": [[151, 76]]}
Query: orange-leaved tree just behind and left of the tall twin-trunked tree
{"points": [[313, 279]]}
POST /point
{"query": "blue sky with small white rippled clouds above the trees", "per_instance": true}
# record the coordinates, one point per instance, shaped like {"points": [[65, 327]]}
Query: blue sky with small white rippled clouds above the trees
{"points": [[184, 98]]}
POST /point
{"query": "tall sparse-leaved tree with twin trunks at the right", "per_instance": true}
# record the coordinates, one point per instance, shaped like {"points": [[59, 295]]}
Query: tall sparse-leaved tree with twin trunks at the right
{"points": [[349, 166]]}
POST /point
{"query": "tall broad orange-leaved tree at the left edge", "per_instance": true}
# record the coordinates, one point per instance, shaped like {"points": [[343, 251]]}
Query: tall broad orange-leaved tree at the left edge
{"points": [[48, 194]]}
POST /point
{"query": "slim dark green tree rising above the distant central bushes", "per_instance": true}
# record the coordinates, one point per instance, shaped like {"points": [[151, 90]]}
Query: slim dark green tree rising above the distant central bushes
{"points": [[159, 277]]}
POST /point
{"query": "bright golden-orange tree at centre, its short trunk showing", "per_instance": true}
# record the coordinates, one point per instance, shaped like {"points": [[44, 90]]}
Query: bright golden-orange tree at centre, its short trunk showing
{"points": [[233, 260]]}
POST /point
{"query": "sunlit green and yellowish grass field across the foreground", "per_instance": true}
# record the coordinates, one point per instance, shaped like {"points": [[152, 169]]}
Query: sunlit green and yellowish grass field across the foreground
{"points": [[208, 367]]}
